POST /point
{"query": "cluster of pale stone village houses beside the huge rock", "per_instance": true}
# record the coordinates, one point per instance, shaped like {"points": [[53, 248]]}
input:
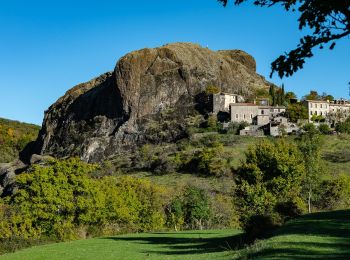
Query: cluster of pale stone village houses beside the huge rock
{"points": [[264, 119]]}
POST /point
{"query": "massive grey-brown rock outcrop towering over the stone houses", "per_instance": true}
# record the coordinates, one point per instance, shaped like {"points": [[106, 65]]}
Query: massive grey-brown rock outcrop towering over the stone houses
{"points": [[116, 110]]}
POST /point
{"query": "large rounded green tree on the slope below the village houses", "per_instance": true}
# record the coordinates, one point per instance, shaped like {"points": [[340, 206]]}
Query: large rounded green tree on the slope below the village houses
{"points": [[272, 173]]}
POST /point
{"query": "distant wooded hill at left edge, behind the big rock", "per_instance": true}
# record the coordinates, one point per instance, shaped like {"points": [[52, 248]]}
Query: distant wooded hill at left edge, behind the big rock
{"points": [[14, 136]]}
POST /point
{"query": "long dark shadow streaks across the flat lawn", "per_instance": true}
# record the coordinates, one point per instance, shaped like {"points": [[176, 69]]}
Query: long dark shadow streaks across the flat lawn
{"points": [[187, 244]]}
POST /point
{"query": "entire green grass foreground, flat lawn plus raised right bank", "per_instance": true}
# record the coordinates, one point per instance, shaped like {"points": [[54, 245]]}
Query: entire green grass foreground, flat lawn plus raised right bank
{"points": [[319, 235]]}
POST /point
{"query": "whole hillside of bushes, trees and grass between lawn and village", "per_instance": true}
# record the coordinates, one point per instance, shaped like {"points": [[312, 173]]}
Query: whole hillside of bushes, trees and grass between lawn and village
{"points": [[211, 179]]}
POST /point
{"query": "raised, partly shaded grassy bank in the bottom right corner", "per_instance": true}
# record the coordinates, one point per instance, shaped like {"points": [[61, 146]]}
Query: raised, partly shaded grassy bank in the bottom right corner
{"points": [[320, 235]]}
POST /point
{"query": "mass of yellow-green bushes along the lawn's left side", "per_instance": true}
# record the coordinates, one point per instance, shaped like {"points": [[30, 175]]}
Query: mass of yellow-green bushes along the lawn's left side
{"points": [[61, 200]]}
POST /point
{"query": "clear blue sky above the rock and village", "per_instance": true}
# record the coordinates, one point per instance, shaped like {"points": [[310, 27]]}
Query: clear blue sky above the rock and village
{"points": [[46, 47]]}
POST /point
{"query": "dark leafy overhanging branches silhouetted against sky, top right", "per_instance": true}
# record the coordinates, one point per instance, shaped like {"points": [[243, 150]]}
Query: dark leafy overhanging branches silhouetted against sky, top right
{"points": [[327, 21]]}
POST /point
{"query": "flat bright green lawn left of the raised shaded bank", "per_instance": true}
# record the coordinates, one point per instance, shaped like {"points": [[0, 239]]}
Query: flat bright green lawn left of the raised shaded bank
{"points": [[206, 244]]}
